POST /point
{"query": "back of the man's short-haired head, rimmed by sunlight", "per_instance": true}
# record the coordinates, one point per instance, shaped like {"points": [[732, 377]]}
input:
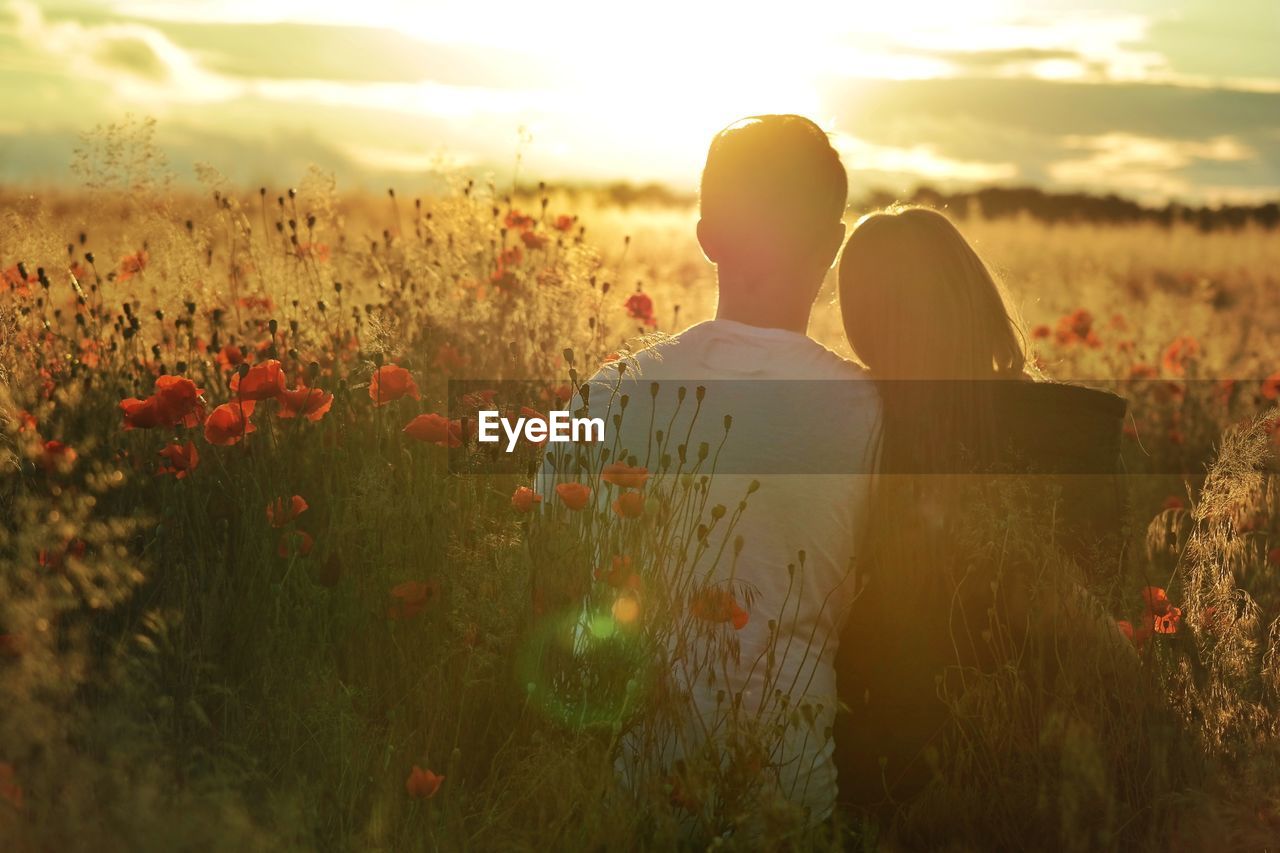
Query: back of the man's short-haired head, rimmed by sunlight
{"points": [[772, 198]]}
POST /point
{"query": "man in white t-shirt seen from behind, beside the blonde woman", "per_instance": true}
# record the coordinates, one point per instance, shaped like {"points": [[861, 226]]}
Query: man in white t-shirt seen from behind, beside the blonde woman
{"points": [[774, 193]]}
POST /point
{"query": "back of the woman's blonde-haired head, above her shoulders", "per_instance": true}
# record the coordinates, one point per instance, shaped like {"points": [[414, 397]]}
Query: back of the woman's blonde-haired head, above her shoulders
{"points": [[920, 304]]}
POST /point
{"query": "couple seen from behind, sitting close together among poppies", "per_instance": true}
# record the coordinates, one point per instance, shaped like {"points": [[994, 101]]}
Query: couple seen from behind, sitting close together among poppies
{"points": [[849, 542]]}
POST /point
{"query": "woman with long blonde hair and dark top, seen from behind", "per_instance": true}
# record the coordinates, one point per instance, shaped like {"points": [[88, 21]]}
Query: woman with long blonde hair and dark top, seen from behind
{"points": [[966, 419]]}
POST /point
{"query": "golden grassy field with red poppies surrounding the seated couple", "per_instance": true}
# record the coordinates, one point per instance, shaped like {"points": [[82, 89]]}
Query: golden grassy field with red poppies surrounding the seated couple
{"points": [[298, 626]]}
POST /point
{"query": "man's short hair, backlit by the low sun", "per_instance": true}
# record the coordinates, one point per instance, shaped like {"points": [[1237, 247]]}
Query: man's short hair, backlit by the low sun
{"points": [[778, 172]]}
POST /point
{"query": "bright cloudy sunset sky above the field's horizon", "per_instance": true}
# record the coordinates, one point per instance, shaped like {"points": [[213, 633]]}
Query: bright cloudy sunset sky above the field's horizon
{"points": [[1150, 99]]}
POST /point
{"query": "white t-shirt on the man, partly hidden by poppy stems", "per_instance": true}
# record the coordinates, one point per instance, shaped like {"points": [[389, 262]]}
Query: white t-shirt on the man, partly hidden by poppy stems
{"points": [[804, 425]]}
